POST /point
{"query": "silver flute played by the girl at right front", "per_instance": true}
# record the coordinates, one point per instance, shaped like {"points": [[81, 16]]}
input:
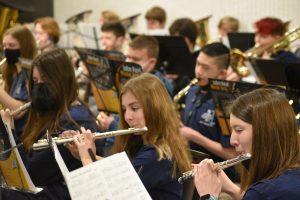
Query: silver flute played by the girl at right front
{"points": [[221, 165]]}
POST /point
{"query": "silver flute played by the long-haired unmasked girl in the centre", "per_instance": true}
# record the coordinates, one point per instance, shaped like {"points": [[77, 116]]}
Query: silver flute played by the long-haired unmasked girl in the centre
{"points": [[44, 143]]}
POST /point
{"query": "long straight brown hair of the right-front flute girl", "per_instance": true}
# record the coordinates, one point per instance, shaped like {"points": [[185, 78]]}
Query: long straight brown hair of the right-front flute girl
{"points": [[275, 143]]}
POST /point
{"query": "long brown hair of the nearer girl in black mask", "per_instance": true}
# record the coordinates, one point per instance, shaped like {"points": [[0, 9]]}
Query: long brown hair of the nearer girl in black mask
{"points": [[56, 70]]}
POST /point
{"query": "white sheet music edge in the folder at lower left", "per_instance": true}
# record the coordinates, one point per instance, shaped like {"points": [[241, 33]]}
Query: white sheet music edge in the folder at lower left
{"points": [[19, 163]]}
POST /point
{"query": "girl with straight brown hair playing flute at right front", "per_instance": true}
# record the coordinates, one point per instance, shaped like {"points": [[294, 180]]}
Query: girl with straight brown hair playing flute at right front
{"points": [[264, 125]]}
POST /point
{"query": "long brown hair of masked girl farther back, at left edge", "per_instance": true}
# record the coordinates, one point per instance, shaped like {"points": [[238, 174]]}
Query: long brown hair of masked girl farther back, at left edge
{"points": [[27, 47]]}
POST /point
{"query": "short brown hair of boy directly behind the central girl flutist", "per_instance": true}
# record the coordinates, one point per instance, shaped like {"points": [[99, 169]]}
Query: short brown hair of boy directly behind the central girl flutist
{"points": [[148, 42]]}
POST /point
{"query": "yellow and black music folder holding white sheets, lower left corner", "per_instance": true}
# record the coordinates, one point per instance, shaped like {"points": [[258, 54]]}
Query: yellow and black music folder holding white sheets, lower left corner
{"points": [[12, 168]]}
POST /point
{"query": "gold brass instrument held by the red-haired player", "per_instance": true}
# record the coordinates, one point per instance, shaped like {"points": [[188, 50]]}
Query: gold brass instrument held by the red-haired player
{"points": [[238, 57]]}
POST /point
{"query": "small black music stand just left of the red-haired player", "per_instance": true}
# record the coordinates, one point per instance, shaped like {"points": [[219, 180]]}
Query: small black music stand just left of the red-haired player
{"points": [[242, 41]]}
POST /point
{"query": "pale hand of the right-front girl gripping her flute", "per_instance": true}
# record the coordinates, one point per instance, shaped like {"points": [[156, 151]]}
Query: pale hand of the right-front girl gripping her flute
{"points": [[207, 180]]}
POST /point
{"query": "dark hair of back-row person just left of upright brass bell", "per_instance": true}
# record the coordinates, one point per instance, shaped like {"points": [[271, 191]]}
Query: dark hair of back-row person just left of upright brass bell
{"points": [[186, 28]]}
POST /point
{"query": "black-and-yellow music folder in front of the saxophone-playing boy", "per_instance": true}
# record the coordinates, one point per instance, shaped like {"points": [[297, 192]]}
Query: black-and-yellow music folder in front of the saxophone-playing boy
{"points": [[224, 92]]}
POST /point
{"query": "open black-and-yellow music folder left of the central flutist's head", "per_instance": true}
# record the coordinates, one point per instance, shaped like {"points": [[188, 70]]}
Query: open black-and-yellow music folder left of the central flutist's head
{"points": [[107, 78]]}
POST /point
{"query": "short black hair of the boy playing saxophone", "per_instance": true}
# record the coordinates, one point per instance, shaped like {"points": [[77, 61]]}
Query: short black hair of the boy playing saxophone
{"points": [[219, 51]]}
